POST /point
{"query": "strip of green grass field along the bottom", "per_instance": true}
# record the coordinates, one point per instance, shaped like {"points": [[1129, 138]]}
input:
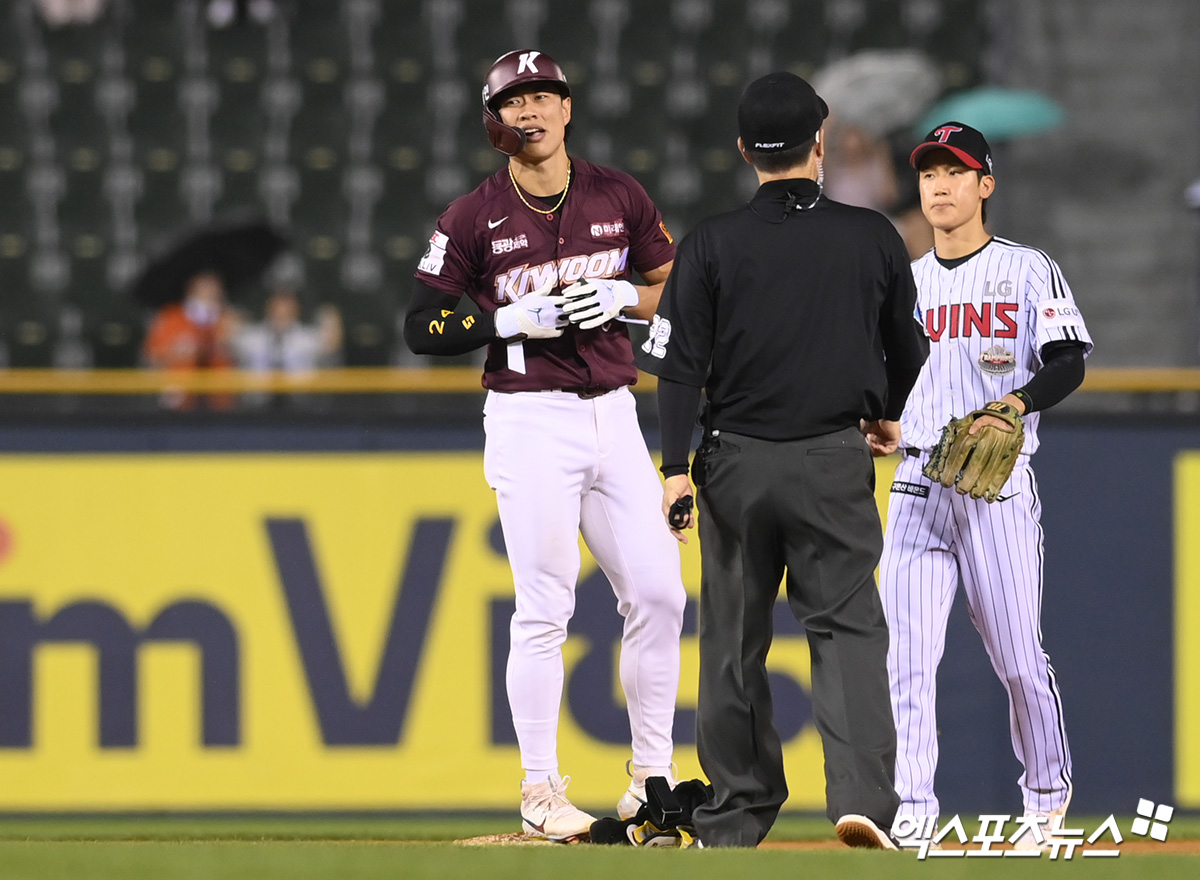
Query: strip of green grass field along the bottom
{"points": [[255, 848]]}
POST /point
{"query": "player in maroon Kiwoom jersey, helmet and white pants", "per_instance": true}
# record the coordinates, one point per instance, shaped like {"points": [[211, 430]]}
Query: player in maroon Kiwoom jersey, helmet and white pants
{"points": [[545, 248]]}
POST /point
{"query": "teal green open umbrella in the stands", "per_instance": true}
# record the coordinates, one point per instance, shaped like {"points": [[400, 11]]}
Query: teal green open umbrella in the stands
{"points": [[999, 113]]}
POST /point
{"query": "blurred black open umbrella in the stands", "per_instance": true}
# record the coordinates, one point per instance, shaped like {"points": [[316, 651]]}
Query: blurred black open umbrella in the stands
{"points": [[237, 252]]}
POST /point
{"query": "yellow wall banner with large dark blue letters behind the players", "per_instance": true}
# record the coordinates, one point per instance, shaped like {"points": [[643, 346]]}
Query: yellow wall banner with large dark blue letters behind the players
{"points": [[293, 632]]}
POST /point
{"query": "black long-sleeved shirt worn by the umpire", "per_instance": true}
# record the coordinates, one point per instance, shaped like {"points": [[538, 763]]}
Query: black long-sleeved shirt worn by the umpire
{"points": [[796, 315]]}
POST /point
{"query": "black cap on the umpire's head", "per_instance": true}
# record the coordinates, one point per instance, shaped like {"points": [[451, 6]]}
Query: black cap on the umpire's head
{"points": [[779, 112]]}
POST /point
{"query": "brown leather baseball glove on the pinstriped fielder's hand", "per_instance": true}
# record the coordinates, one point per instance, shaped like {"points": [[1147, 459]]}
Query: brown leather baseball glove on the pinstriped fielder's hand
{"points": [[977, 464]]}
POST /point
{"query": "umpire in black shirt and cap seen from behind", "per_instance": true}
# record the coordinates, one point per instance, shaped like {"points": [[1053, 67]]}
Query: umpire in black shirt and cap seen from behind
{"points": [[795, 314]]}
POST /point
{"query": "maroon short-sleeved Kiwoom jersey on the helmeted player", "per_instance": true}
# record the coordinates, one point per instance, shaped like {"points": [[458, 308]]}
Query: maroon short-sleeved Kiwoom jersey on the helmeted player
{"points": [[491, 247]]}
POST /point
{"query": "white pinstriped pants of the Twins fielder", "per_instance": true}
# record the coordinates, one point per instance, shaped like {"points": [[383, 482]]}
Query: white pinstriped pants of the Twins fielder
{"points": [[997, 550]]}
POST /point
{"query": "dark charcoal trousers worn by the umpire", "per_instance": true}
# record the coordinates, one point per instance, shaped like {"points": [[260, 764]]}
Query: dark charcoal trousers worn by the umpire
{"points": [[806, 508]]}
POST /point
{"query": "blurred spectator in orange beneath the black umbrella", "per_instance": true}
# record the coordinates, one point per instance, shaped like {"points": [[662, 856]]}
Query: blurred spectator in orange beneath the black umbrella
{"points": [[194, 334]]}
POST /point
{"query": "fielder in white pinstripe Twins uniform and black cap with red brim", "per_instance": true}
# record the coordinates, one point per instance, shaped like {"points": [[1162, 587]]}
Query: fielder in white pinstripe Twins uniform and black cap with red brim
{"points": [[1003, 326]]}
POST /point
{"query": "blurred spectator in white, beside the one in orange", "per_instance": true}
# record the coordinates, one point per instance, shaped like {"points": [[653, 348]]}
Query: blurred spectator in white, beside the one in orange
{"points": [[283, 342]]}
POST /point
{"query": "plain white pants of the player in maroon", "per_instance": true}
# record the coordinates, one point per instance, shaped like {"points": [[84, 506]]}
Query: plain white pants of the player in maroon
{"points": [[562, 465]]}
